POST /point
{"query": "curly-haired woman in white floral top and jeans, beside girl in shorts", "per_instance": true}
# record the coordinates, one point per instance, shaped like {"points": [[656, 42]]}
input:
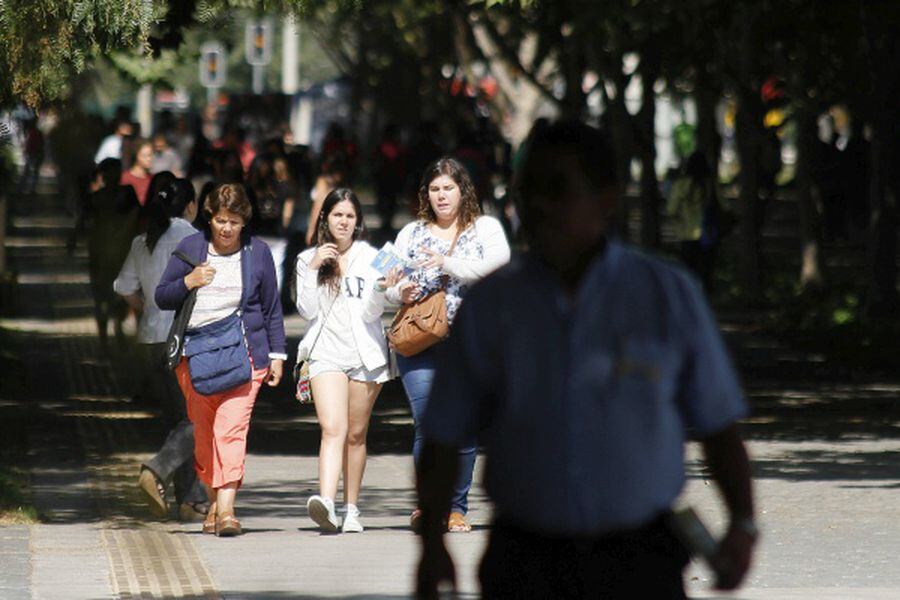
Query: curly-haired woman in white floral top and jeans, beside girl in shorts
{"points": [[450, 246]]}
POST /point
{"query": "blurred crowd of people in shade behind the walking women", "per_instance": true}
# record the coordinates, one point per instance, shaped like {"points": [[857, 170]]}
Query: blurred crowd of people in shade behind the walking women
{"points": [[286, 183]]}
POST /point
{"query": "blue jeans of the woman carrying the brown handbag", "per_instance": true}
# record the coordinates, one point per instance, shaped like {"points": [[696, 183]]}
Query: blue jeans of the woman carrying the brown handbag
{"points": [[417, 373]]}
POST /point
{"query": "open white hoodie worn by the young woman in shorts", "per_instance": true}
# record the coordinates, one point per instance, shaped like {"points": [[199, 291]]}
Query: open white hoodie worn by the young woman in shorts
{"points": [[365, 303]]}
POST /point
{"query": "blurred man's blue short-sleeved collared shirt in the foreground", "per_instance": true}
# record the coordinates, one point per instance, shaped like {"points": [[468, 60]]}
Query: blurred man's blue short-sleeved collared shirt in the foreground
{"points": [[584, 403]]}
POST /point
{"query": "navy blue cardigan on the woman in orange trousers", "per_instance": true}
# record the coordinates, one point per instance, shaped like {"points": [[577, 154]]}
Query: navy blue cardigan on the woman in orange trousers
{"points": [[263, 318]]}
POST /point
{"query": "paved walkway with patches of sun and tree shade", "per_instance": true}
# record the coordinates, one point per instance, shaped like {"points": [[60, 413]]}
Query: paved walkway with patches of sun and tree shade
{"points": [[825, 447]]}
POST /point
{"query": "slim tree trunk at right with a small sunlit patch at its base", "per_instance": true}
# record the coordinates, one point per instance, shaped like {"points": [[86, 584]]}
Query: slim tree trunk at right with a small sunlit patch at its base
{"points": [[810, 224]]}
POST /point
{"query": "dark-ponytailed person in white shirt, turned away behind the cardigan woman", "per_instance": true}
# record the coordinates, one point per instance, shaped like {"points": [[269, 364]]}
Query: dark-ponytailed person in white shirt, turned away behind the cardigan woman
{"points": [[170, 214]]}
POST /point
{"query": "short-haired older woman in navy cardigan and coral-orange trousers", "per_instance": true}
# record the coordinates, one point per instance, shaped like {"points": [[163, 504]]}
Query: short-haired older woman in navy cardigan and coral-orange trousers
{"points": [[229, 261]]}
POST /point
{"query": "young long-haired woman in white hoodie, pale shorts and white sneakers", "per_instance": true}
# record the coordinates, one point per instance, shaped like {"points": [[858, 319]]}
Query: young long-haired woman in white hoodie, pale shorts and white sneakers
{"points": [[342, 297]]}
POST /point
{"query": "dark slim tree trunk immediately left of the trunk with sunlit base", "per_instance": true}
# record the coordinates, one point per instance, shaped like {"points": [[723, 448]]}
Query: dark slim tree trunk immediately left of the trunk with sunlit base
{"points": [[747, 125]]}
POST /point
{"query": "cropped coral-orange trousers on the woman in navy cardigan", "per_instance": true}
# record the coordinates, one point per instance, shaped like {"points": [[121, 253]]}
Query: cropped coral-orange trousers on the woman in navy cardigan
{"points": [[221, 422]]}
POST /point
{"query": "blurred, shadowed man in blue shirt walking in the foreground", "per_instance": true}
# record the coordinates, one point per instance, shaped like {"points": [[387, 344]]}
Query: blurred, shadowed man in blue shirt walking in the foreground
{"points": [[586, 366]]}
